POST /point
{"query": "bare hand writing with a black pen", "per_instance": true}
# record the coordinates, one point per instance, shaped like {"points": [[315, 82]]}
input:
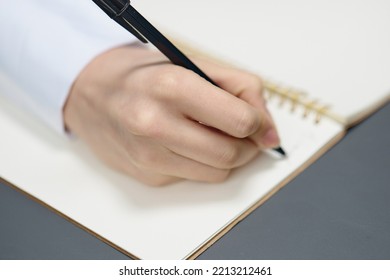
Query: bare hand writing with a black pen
{"points": [[159, 122]]}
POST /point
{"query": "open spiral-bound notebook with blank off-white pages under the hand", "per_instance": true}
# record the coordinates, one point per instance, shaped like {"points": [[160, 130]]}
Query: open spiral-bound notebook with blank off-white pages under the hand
{"points": [[325, 67]]}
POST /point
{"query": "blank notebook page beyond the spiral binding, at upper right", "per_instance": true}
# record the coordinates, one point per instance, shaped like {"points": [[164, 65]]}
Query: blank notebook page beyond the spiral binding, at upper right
{"points": [[337, 51]]}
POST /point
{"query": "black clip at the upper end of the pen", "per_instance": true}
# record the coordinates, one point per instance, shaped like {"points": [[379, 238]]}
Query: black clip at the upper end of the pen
{"points": [[116, 14]]}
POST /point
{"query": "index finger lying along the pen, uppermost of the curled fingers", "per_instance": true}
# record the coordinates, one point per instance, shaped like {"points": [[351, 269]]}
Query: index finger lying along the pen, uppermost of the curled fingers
{"points": [[205, 103]]}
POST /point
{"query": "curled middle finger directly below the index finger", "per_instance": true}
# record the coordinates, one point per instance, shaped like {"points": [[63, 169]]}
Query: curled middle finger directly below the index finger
{"points": [[187, 138]]}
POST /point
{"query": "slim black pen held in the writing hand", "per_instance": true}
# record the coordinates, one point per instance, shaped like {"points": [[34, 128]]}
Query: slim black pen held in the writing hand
{"points": [[129, 18]]}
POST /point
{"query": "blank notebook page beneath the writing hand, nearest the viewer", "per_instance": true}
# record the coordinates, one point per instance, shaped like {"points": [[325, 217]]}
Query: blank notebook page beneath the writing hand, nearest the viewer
{"points": [[151, 223]]}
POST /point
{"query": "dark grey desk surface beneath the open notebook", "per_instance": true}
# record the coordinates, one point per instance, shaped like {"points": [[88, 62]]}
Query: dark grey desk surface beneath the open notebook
{"points": [[339, 208]]}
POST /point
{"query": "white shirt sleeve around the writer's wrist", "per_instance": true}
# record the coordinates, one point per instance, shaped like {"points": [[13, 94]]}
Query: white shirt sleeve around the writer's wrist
{"points": [[44, 46]]}
